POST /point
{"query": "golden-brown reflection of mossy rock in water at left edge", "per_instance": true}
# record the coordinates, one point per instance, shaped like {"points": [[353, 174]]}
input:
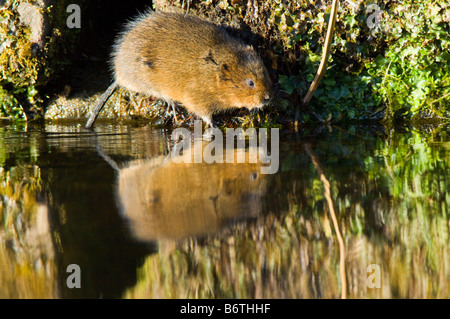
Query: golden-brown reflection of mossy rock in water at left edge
{"points": [[26, 250]]}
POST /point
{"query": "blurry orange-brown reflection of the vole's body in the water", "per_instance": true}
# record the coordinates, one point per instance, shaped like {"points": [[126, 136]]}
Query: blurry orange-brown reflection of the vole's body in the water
{"points": [[162, 199]]}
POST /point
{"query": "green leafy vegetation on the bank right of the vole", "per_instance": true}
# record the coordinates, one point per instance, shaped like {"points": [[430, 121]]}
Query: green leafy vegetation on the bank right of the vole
{"points": [[402, 63]]}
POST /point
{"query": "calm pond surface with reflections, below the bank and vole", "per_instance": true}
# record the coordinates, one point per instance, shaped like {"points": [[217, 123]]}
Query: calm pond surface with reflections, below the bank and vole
{"points": [[141, 227]]}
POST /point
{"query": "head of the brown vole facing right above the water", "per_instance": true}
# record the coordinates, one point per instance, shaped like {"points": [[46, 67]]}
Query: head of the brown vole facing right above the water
{"points": [[243, 80]]}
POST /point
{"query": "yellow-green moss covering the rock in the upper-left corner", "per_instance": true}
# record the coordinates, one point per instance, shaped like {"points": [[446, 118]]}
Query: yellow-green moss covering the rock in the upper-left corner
{"points": [[26, 67]]}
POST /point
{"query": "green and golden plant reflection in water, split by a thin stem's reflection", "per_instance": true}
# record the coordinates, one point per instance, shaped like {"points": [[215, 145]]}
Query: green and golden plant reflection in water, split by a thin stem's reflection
{"points": [[392, 202]]}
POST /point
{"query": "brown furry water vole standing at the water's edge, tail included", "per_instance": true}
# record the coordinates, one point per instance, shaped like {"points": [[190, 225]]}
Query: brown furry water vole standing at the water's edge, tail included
{"points": [[187, 60]]}
